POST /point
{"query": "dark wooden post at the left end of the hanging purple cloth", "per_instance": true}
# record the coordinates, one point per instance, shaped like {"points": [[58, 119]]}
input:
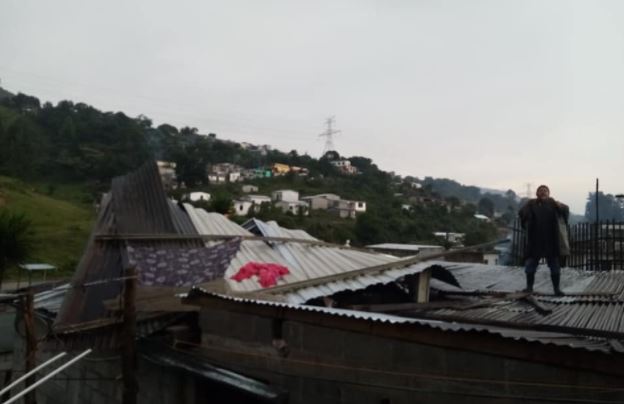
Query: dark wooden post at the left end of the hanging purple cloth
{"points": [[128, 349]]}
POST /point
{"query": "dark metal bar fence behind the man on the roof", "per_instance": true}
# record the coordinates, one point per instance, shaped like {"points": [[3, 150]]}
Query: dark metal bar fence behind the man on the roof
{"points": [[593, 246]]}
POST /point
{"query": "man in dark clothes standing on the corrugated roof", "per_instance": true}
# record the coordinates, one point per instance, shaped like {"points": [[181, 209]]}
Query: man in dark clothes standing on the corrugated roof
{"points": [[541, 217]]}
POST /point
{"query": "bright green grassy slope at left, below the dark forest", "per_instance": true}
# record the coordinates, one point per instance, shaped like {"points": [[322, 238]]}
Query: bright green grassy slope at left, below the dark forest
{"points": [[61, 220]]}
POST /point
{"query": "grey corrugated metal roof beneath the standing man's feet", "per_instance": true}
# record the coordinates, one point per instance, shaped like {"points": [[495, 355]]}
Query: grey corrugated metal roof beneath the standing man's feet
{"points": [[595, 300]]}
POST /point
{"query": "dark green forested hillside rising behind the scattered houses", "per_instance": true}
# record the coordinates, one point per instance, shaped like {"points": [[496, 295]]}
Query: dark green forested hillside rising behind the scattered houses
{"points": [[76, 143]]}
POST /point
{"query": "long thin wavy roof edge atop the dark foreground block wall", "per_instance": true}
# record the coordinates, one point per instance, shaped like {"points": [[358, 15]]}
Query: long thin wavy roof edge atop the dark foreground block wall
{"points": [[547, 338]]}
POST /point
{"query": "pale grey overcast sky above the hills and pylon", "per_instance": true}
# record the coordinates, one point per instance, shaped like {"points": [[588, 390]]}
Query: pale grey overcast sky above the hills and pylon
{"points": [[490, 93]]}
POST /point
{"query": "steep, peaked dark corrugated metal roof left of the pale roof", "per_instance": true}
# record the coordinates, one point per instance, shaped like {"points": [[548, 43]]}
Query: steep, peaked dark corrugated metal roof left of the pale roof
{"points": [[137, 204]]}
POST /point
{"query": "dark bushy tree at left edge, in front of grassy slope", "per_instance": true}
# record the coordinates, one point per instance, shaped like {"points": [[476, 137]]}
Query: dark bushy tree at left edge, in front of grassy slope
{"points": [[15, 239]]}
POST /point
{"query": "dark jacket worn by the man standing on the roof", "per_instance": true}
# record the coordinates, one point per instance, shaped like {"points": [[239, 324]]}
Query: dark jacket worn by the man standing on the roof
{"points": [[540, 219]]}
